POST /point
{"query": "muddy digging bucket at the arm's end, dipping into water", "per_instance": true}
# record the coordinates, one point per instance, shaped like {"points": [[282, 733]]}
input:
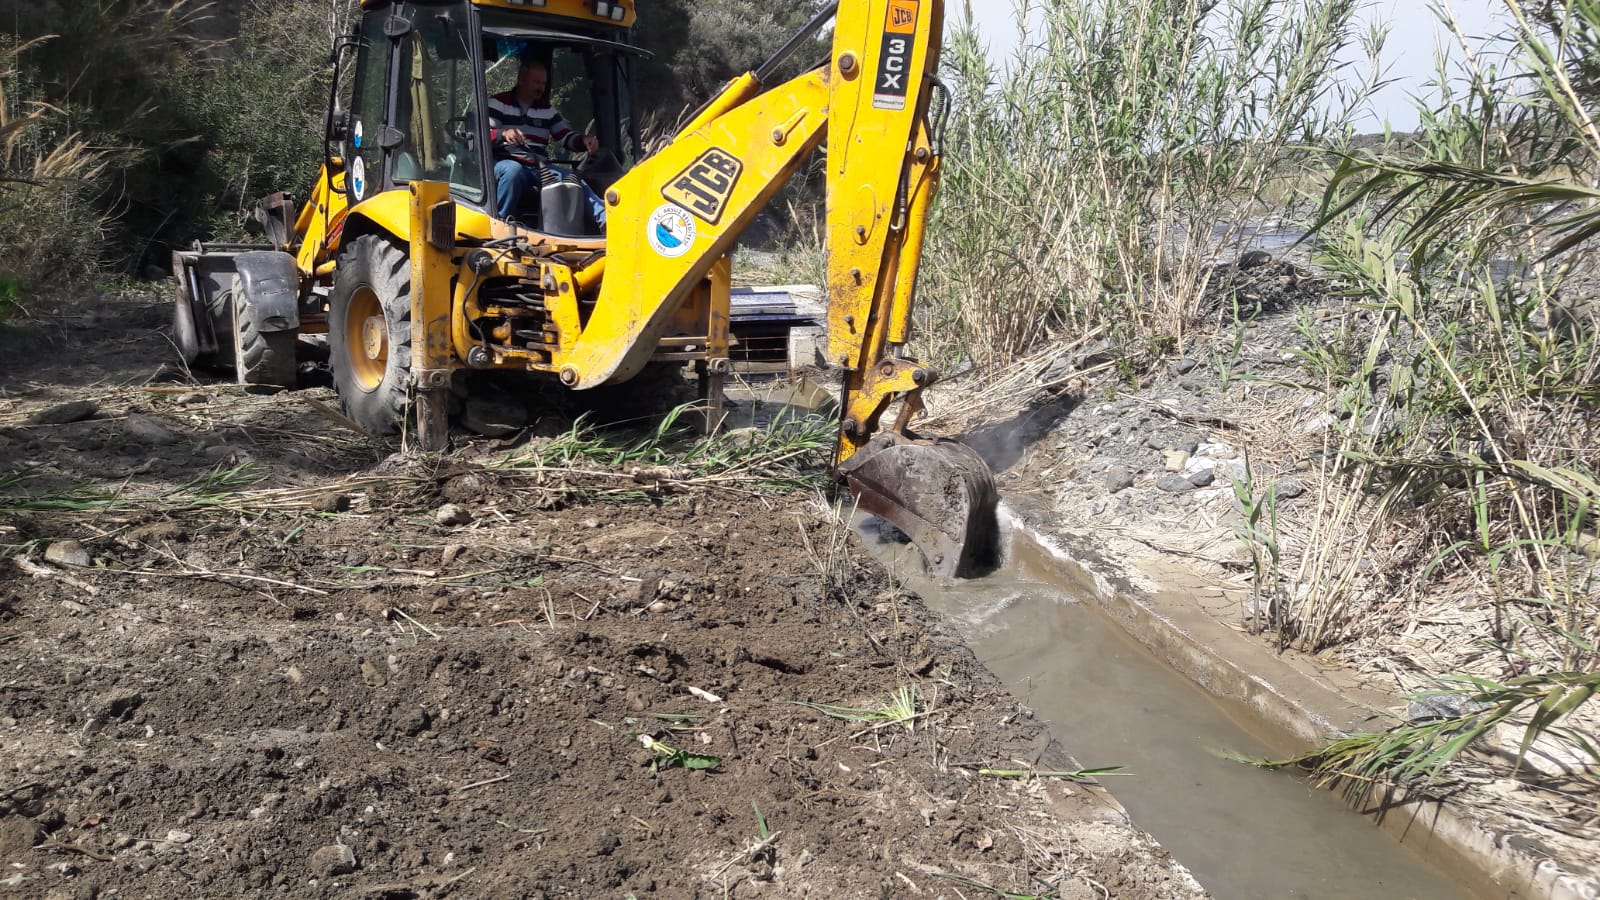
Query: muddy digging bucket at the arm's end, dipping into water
{"points": [[938, 492]]}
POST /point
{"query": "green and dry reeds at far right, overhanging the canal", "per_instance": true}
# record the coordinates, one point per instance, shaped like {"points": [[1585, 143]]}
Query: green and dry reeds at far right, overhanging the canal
{"points": [[1471, 449]]}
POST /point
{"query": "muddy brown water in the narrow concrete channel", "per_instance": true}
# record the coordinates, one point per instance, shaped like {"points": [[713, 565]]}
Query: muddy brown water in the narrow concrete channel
{"points": [[1244, 834]]}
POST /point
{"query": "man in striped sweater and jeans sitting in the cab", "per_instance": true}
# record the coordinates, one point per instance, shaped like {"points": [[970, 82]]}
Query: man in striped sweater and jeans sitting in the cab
{"points": [[522, 126]]}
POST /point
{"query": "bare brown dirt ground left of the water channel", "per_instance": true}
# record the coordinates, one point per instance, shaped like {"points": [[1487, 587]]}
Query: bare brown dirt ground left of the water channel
{"points": [[300, 664]]}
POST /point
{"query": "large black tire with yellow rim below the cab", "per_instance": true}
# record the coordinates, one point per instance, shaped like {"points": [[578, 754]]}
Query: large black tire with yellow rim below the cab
{"points": [[372, 267]]}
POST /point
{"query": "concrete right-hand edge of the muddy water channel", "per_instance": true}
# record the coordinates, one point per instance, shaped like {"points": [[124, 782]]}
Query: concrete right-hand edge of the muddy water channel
{"points": [[1289, 704]]}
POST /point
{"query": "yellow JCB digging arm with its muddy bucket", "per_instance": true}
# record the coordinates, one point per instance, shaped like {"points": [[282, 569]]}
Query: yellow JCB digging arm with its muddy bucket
{"points": [[679, 212]]}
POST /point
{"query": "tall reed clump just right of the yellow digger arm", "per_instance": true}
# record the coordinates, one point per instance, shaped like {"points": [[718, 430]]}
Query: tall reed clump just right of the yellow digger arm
{"points": [[1097, 179]]}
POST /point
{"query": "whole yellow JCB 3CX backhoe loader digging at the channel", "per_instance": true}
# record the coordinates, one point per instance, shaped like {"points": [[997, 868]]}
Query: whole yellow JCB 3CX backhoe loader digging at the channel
{"points": [[402, 262]]}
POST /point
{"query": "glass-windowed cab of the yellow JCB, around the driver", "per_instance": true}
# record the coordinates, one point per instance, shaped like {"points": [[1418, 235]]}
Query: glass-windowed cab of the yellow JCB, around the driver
{"points": [[446, 62]]}
